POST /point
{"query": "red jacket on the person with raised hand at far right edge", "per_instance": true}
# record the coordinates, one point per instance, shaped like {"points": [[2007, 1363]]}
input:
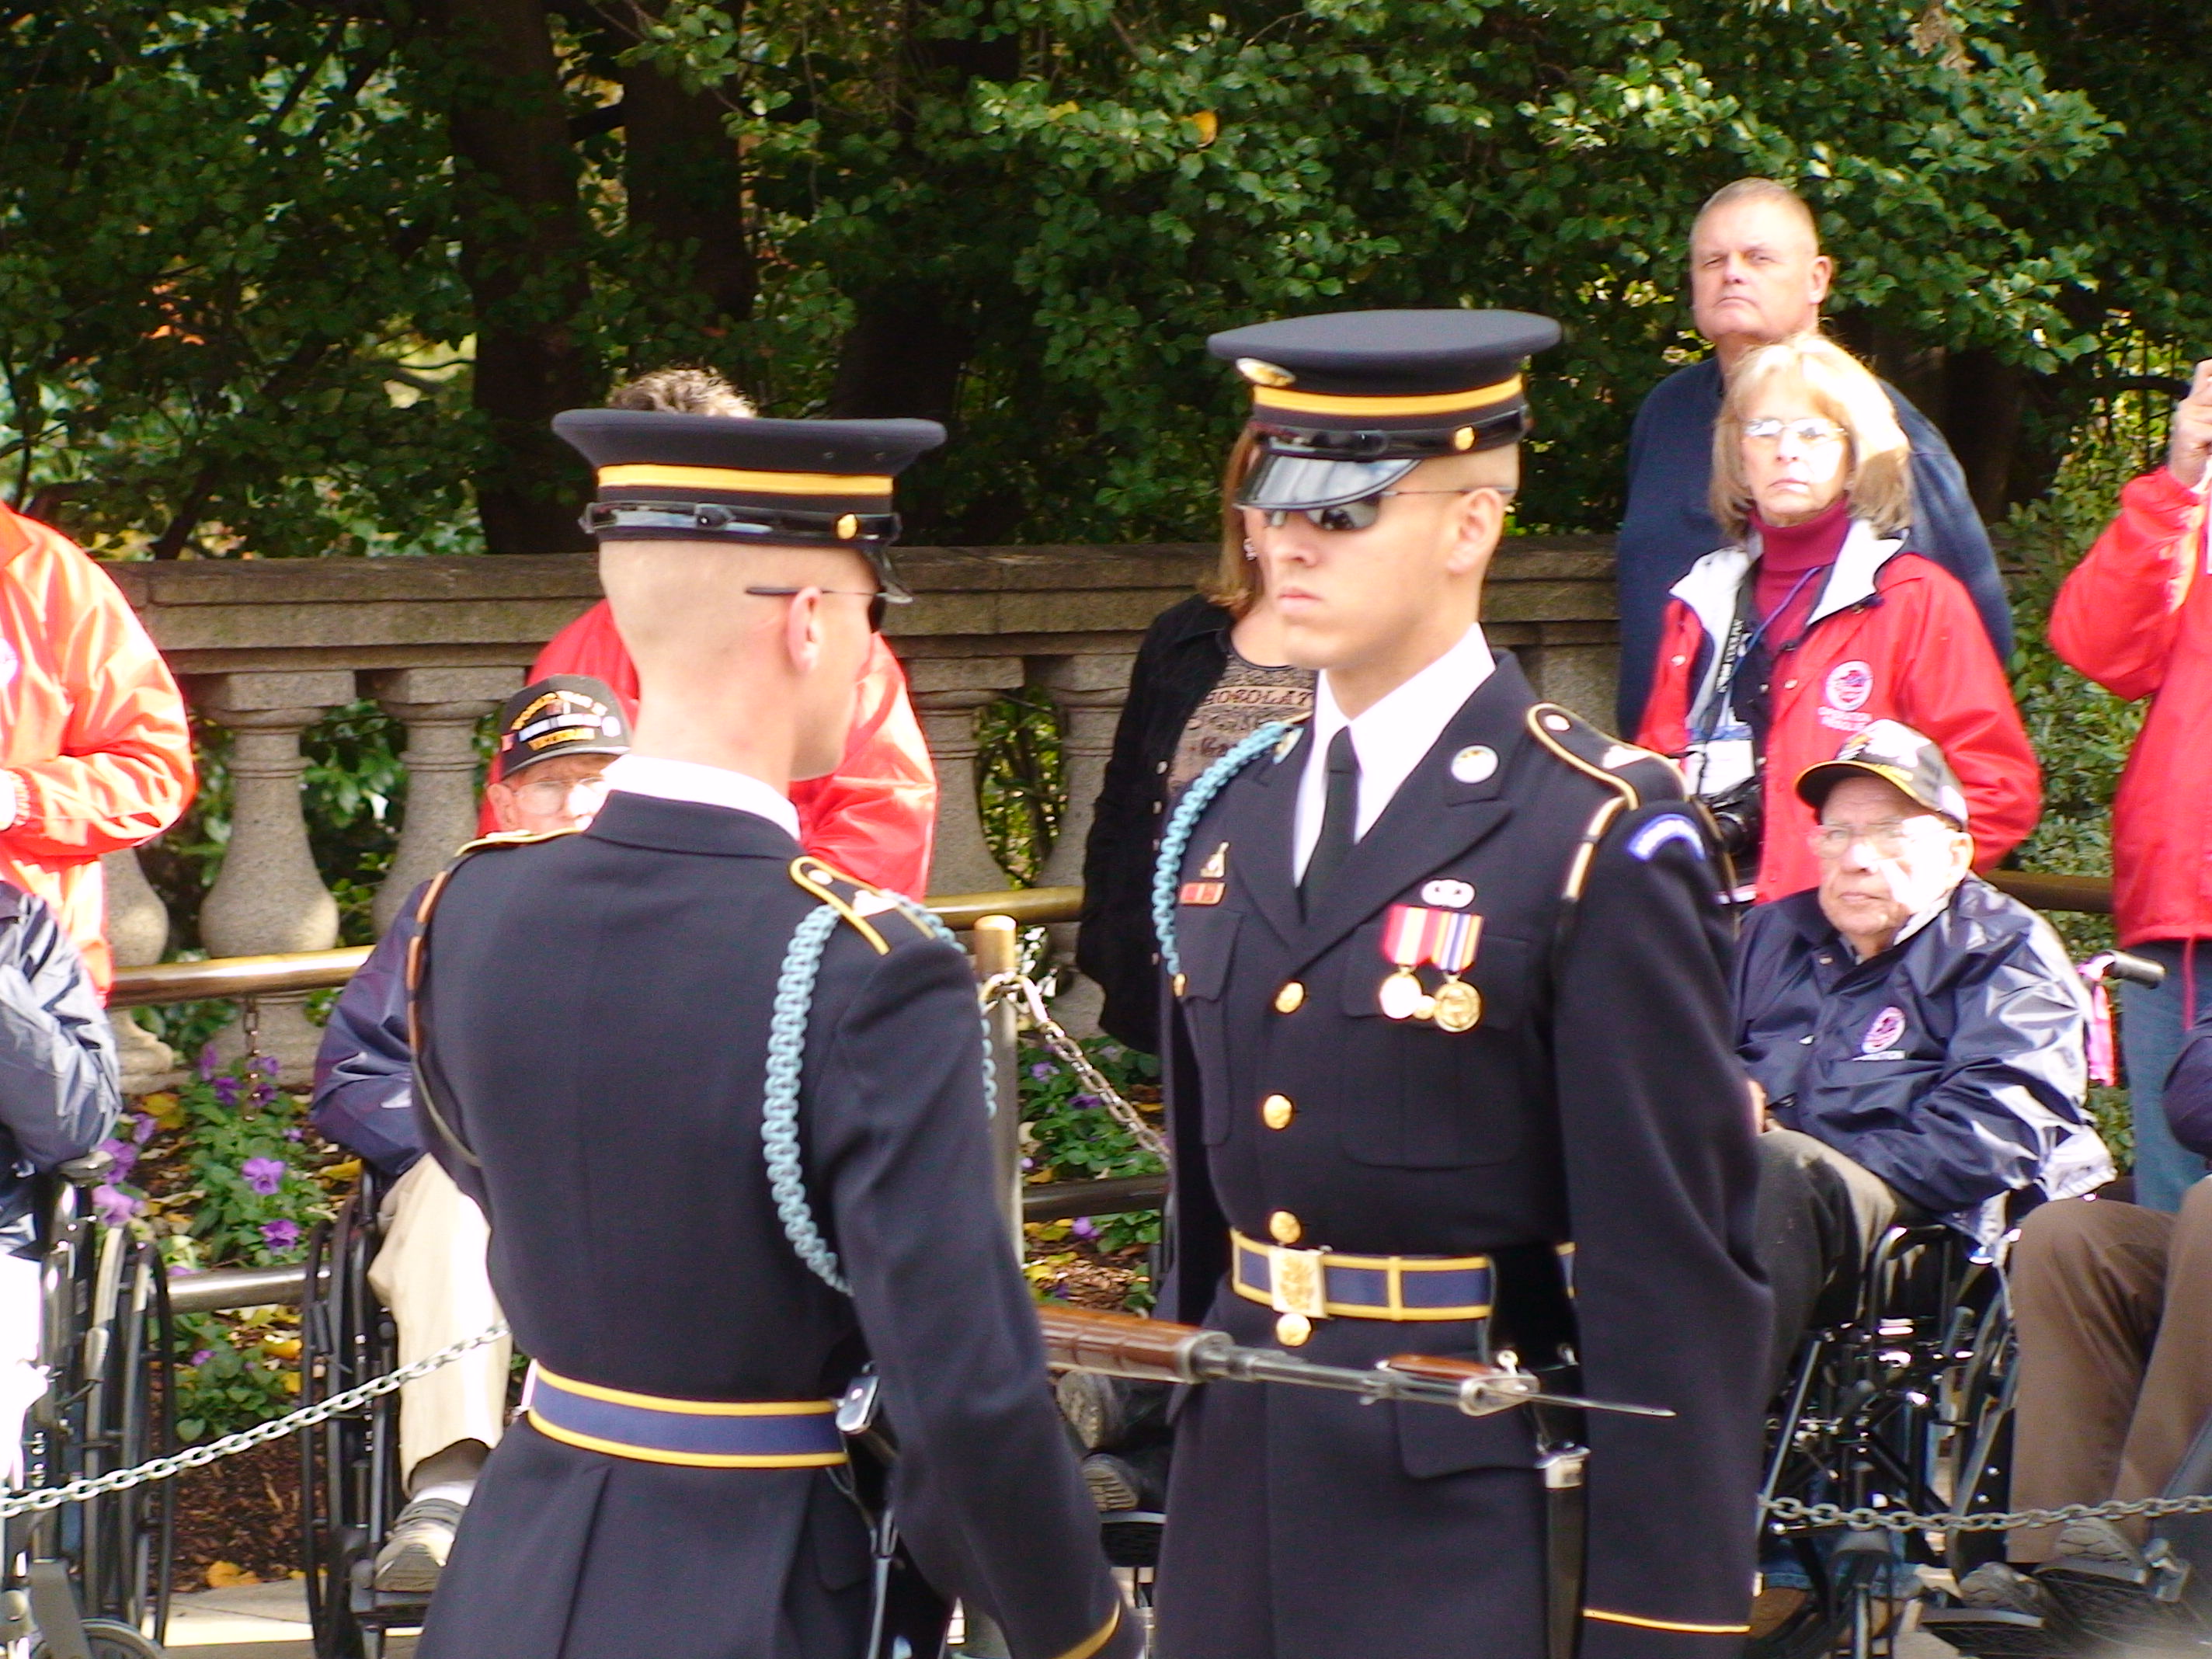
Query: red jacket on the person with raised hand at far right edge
{"points": [[2138, 618]]}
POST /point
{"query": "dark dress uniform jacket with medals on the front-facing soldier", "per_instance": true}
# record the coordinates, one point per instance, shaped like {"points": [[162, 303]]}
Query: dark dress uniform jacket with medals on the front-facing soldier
{"points": [[1598, 1105]]}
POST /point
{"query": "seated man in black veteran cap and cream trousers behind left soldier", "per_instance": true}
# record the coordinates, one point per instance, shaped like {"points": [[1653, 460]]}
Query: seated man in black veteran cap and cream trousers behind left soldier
{"points": [[556, 740]]}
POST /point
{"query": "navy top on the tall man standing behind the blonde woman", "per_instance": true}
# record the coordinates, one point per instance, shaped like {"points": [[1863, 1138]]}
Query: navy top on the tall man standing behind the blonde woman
{"points": [[1669, 528]]}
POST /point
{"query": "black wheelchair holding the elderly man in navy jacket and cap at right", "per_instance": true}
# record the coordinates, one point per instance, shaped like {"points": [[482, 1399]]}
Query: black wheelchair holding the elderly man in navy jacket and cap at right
{"points": [[1903, 1406]]}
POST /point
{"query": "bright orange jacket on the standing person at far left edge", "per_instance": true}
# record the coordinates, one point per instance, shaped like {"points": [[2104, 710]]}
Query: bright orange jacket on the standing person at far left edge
{"points": [[94, 742]]}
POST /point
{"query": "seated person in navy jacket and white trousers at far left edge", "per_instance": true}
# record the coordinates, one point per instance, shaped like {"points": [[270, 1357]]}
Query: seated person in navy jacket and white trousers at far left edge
{"points": [[59, 1100]]}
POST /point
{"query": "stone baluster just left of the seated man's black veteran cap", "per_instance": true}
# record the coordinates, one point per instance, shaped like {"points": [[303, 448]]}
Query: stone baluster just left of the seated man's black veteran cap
{"points": [[439, 707]]}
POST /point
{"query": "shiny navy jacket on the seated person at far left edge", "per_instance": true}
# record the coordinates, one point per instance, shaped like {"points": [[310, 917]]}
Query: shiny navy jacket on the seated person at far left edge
{"points": [[59, 1094]]}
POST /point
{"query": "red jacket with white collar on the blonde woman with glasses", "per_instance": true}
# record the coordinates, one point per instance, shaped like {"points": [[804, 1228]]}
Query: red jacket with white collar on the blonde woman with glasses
{"points": [[1892, 636]]}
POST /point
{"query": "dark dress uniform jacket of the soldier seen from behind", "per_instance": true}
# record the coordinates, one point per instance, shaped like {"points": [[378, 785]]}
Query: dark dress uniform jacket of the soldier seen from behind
{"points": [[596, 1014]]}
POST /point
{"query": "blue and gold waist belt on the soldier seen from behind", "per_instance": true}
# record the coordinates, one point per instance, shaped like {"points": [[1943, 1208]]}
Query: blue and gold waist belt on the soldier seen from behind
{"points": [[696, 1434]]}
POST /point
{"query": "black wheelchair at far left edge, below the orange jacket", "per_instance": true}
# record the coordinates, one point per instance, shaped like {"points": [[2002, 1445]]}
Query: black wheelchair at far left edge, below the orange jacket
{"points": [[94, 1578]]}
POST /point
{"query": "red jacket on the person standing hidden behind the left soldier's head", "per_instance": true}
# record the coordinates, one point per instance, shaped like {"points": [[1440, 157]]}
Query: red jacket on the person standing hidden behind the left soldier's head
{"points": [[873, 817]]}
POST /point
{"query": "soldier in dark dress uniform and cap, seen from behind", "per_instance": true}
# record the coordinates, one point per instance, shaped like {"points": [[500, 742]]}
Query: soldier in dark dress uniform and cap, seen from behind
{"points": [[727, 1116]]}
